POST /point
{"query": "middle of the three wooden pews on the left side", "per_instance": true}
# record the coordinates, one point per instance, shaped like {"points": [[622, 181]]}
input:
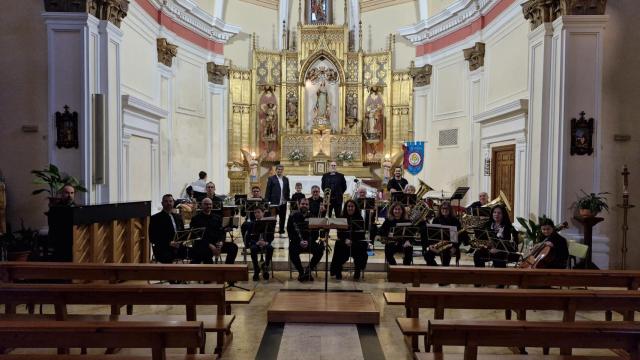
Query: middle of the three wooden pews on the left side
{"points": [[61, 295]]}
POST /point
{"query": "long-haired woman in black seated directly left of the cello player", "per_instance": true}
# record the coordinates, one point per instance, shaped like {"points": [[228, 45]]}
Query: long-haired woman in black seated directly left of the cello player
{"points": [[503, 242]]}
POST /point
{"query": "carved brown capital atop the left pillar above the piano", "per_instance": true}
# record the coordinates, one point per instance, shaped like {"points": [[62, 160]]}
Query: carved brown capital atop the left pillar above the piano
{"points": [[110, 10]]}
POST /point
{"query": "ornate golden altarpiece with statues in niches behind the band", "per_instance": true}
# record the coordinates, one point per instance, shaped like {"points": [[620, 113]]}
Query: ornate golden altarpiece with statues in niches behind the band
{"points": [[320, 99]]}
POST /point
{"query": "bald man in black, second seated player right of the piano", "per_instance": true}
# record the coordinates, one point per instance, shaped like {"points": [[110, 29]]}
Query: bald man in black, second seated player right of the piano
{"points": [[212, 243]]}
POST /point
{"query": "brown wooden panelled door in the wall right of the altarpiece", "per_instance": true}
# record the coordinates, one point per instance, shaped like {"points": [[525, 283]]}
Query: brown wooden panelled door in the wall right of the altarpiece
{"points": [[503, 171]]}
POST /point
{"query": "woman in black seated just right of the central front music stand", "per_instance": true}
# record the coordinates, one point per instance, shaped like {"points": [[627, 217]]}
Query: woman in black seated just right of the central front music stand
{"points": [[350, 243]]}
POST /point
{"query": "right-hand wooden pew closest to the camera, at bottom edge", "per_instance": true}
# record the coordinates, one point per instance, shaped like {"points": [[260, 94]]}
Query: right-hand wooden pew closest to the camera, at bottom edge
{"points": [[584, 334]]}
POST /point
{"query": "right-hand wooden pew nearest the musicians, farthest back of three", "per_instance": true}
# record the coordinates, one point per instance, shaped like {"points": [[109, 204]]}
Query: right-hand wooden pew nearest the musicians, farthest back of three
{"points": [[522, 278]]}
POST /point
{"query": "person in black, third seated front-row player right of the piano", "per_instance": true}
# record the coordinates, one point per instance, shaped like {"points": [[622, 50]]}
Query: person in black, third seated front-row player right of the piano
{"points": [[258, 243]]}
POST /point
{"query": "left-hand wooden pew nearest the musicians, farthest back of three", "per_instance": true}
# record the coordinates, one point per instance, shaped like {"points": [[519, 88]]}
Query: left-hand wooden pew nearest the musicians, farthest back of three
{"points": [[11, 272]]}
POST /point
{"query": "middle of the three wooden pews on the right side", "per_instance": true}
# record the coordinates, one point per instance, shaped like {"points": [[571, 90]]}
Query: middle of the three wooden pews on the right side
{"points": [[568, 301]]}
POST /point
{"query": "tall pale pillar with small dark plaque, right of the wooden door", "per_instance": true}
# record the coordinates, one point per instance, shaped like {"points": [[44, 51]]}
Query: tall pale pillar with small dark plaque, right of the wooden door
{"points": [[576, 86]]}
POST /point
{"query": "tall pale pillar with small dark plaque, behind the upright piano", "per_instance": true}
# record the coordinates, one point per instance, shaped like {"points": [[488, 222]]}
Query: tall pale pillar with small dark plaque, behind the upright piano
{"points": [[83, 45]]}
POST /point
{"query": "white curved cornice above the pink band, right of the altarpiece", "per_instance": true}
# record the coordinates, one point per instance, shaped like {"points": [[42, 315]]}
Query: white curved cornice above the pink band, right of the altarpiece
{"points": [[459, 14]]}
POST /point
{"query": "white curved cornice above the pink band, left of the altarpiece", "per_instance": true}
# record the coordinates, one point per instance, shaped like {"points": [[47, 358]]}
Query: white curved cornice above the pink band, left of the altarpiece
{"points": [[189, 15]]}
